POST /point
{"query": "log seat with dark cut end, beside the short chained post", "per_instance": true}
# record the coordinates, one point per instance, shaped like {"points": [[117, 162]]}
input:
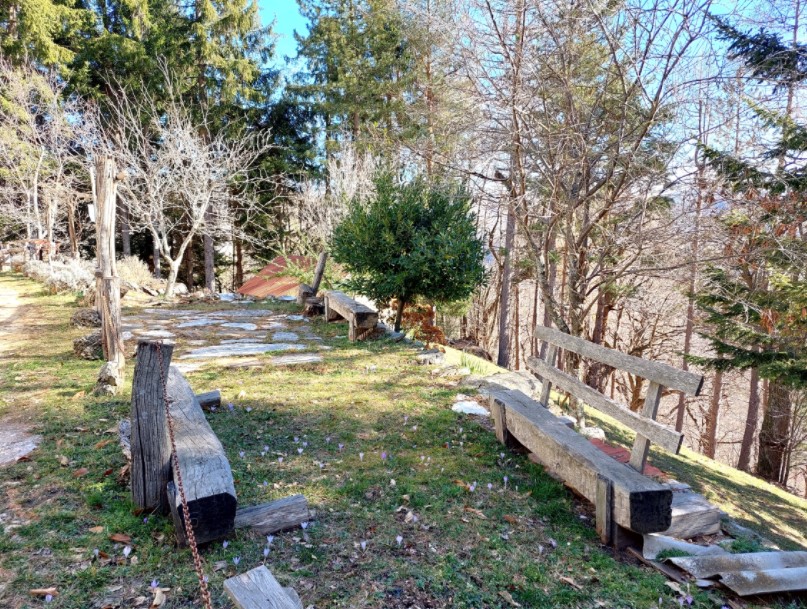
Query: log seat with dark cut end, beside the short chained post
{"points": [[206, 474]]}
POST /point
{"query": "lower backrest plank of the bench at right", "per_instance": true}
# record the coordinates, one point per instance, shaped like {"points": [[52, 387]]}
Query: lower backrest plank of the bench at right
{"points": [[660, 434]]}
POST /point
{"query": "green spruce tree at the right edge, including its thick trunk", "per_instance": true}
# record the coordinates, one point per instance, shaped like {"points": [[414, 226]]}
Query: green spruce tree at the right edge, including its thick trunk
{"points": [[763, 324]]}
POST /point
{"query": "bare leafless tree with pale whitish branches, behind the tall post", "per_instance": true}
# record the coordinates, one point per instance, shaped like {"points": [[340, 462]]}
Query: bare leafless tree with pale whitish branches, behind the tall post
{"points": [[178, 181]]}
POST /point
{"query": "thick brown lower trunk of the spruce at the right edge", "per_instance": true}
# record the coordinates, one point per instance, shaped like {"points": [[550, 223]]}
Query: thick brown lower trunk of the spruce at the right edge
{"points": [[773, 437]]}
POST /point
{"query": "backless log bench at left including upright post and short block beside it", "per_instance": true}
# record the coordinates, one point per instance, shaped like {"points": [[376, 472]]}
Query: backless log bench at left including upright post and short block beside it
{"points": [[206, 475]]}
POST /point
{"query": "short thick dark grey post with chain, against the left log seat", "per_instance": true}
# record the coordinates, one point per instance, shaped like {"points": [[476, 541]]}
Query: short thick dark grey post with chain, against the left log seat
{"points": [[151, 448]]}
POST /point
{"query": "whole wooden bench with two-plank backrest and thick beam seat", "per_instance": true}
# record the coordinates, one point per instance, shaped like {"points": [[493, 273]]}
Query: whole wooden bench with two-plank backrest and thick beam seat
{"points": [[625, 500]]}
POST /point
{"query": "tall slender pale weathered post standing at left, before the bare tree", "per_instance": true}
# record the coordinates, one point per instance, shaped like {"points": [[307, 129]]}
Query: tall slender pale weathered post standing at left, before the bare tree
{"points": [[107, 282]]}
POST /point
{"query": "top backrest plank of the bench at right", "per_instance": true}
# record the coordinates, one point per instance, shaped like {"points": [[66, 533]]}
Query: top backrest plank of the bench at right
{"points": [[662, 374]]}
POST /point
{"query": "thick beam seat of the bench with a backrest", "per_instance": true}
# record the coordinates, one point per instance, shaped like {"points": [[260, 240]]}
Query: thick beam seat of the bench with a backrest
{"points": [[639, 503]]}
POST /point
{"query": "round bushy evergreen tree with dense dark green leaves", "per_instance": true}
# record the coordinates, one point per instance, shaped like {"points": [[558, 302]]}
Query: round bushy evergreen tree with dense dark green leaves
{"points": [[408, 240]]}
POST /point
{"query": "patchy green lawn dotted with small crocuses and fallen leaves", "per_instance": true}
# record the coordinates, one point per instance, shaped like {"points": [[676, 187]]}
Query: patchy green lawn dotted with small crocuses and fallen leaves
{"points": [[367, 436]]}
